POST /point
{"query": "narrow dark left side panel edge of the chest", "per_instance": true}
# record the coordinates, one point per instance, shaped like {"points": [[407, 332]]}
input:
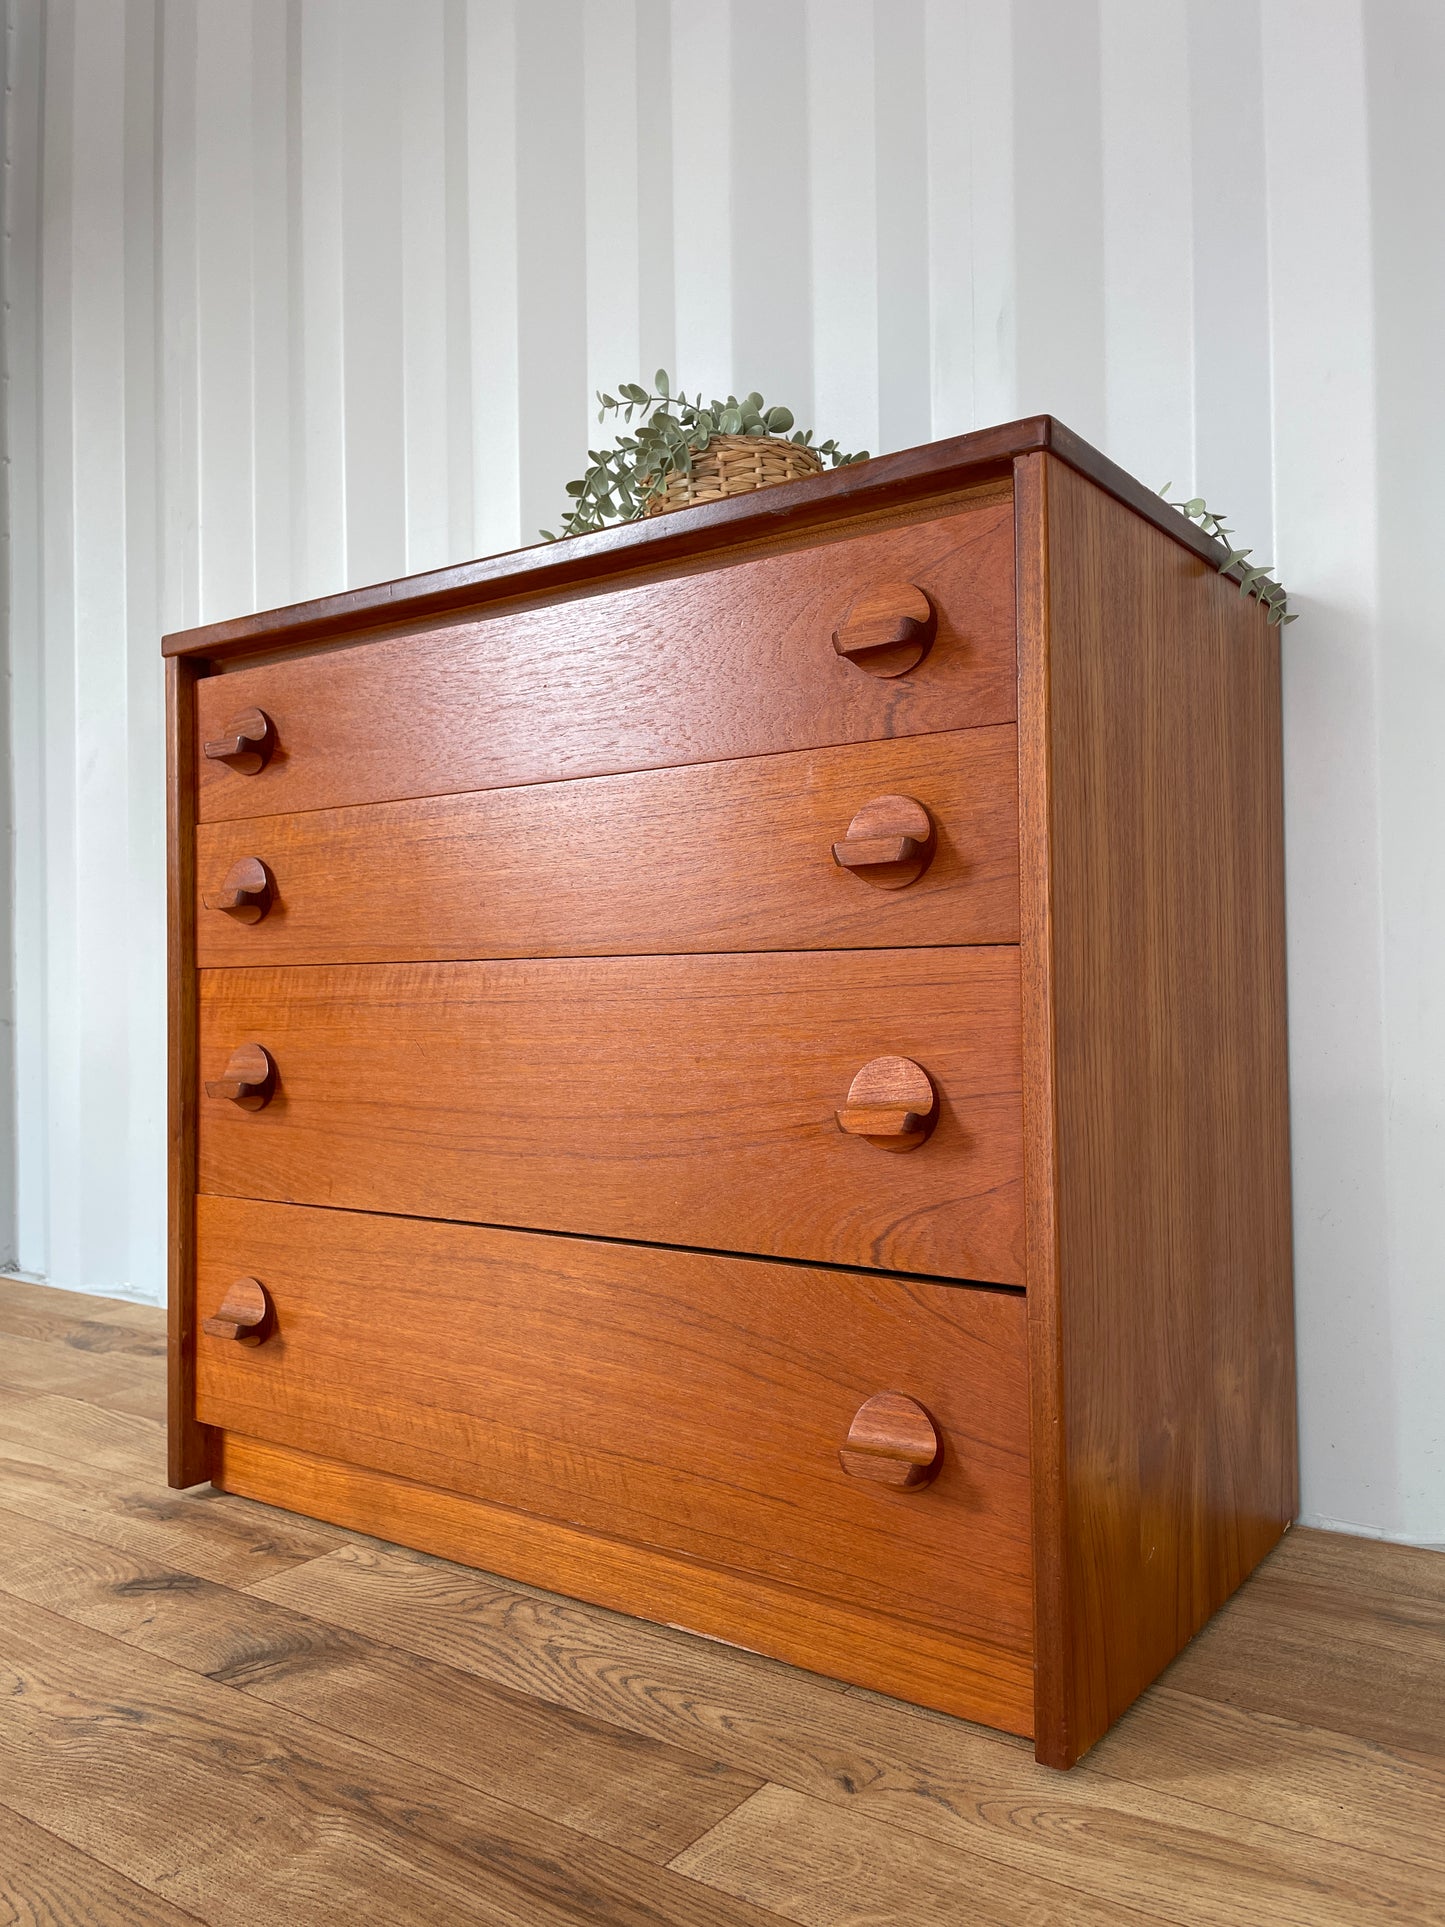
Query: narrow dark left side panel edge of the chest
{"points": [[188, 1440]]}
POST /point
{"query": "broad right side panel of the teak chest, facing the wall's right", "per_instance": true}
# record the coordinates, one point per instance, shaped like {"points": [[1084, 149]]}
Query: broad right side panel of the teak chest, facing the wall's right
{"points": [[1170, 1092]]}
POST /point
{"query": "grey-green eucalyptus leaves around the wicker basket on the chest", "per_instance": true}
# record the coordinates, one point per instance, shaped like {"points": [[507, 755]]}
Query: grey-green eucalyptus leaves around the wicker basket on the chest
{"points": [[670, 433]]}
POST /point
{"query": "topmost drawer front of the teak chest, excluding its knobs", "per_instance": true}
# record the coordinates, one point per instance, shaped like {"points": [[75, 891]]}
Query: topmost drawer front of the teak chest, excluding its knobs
{"points": [[696, 670]]}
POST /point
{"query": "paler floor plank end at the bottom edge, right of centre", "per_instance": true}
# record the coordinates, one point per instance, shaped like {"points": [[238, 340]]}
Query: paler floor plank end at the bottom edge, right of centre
{"points": [[824, 1868]]}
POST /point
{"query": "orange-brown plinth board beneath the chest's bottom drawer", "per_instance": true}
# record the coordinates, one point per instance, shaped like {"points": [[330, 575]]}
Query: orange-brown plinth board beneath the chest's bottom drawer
{"points": [[901, 1658]]}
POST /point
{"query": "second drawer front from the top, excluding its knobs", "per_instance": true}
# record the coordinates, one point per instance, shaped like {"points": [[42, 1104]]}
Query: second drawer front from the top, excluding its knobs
{"points": [[716, 857]]}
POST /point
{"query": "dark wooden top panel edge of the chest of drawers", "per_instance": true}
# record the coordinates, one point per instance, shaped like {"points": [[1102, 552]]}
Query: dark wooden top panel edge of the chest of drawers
{"points": [[708, 529]]}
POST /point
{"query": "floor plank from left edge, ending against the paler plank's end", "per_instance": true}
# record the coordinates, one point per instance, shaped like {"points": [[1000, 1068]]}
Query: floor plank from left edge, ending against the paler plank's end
{"points": [[643, 1795]]}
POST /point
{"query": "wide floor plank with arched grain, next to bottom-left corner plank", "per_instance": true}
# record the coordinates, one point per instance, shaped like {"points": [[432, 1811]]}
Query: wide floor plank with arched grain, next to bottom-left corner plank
{"points": [[244, 1812]]}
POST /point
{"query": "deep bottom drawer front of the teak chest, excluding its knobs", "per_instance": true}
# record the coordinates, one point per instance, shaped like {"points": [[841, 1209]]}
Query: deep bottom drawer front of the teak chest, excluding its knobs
{"points": [[675, 1400]]}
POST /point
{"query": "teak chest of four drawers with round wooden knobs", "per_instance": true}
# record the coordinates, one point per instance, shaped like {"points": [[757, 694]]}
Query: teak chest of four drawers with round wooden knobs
{"points": [[737, 1069]]}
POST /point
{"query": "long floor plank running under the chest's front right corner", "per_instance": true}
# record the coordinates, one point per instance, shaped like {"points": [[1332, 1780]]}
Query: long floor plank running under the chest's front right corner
{"points": [[959, 1785]]}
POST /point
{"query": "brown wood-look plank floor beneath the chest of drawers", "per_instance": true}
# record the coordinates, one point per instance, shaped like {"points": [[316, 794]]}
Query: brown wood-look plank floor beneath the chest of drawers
{"points": [[217, 1712]]}
